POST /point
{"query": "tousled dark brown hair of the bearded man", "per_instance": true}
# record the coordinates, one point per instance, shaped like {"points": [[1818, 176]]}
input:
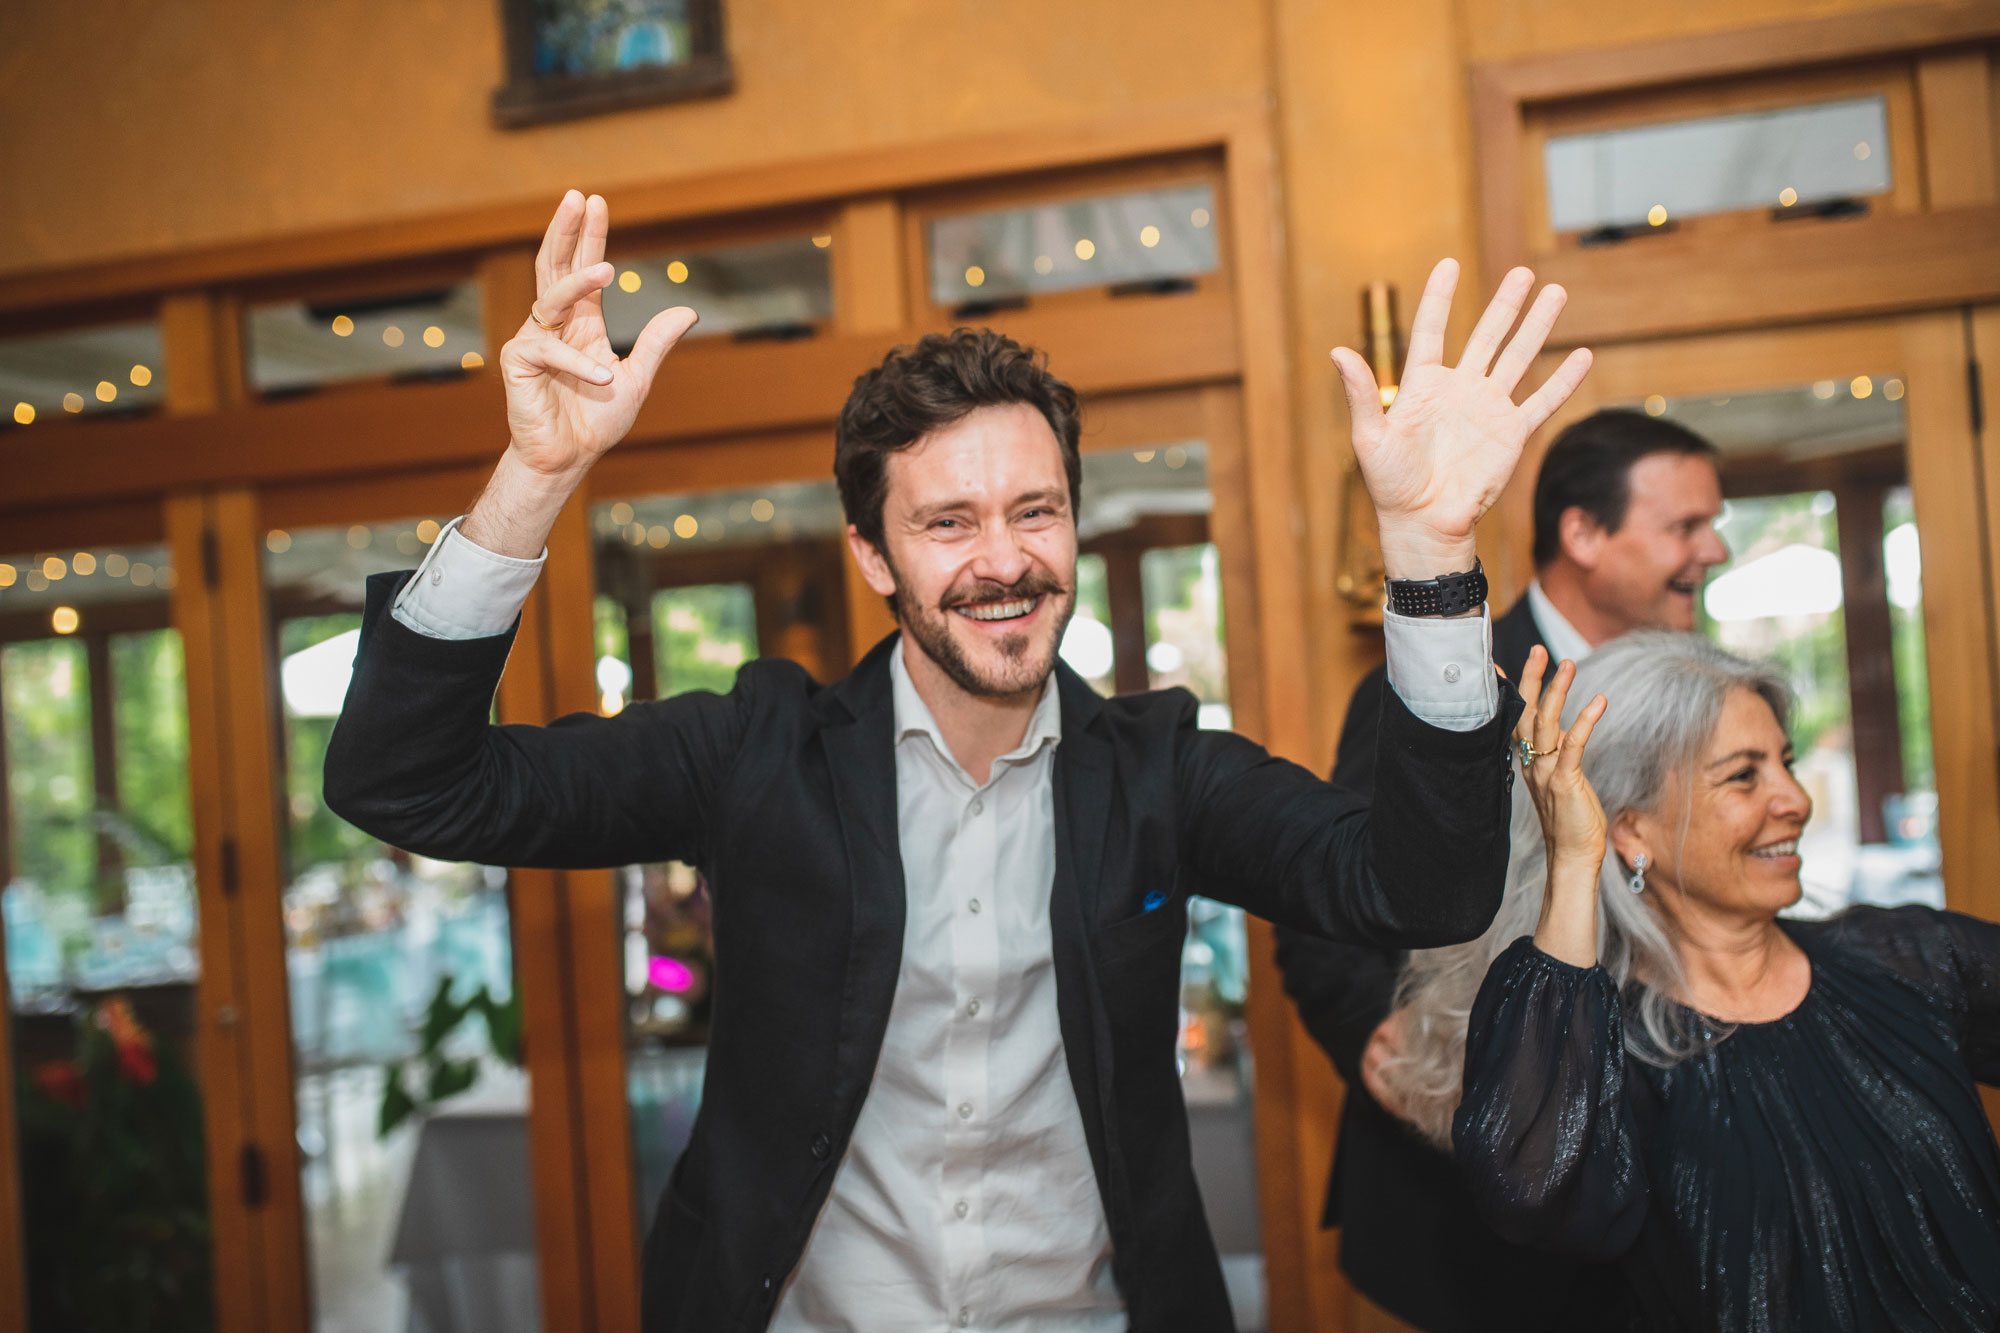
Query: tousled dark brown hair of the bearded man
{"points": [[927, 387]]}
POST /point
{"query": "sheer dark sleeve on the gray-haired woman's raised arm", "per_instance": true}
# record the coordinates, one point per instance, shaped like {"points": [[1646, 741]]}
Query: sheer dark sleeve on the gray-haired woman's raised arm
{"points": [[1545, 1138]]}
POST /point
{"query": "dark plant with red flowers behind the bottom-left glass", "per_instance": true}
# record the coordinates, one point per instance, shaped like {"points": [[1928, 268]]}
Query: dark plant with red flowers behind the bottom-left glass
{"points": [[115, 1188]]}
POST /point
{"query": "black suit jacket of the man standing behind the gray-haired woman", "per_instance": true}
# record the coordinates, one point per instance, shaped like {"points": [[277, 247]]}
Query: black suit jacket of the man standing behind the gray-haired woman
{"points": [[1409, 1236]]}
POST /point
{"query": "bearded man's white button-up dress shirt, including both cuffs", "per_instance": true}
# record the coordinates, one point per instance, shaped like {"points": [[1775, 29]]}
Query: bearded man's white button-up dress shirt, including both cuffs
{"points": [[967, 1196]]}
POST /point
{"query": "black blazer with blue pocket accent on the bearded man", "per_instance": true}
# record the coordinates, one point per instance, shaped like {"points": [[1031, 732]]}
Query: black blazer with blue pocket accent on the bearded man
{"points": [[785, 794]]}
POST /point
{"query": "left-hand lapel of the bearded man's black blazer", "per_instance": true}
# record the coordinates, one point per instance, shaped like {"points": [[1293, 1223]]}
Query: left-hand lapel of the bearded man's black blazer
{"points": [[859, 734]]}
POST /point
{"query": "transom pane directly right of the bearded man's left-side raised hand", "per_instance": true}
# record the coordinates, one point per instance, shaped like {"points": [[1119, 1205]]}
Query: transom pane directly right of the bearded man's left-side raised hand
{"points": [[767, 289]]}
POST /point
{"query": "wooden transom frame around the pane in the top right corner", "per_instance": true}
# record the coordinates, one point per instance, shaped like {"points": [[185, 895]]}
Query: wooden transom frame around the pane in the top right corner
{"points": [[1721, 275]]}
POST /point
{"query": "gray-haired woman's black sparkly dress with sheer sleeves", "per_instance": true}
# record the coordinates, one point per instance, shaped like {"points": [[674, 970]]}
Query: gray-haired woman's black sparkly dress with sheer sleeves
{"points": [[1833, 1170]]}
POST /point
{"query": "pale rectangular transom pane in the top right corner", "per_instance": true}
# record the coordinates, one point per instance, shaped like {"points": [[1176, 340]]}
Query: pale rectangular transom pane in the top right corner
{"points": [[1791, 157]]}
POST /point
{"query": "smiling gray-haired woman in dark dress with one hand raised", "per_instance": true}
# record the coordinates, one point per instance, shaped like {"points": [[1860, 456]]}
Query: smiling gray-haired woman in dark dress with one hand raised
{"points": [[1763, 1124]]}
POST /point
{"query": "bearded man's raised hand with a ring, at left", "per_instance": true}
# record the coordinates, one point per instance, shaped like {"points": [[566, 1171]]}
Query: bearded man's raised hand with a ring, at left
{"points": [[569, 395]]}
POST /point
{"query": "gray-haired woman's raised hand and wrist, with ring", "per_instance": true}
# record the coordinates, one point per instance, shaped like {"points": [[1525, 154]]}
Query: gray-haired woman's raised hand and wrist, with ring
{"points": [[1573, 822]]}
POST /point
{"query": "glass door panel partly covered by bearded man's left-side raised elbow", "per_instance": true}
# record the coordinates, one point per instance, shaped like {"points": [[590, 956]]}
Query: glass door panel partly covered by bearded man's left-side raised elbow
{"points": [[411, 1100]]}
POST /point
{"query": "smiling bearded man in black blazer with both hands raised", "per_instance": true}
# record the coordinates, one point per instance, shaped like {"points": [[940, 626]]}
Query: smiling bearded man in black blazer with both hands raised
{"points": [[951, 890]]}
